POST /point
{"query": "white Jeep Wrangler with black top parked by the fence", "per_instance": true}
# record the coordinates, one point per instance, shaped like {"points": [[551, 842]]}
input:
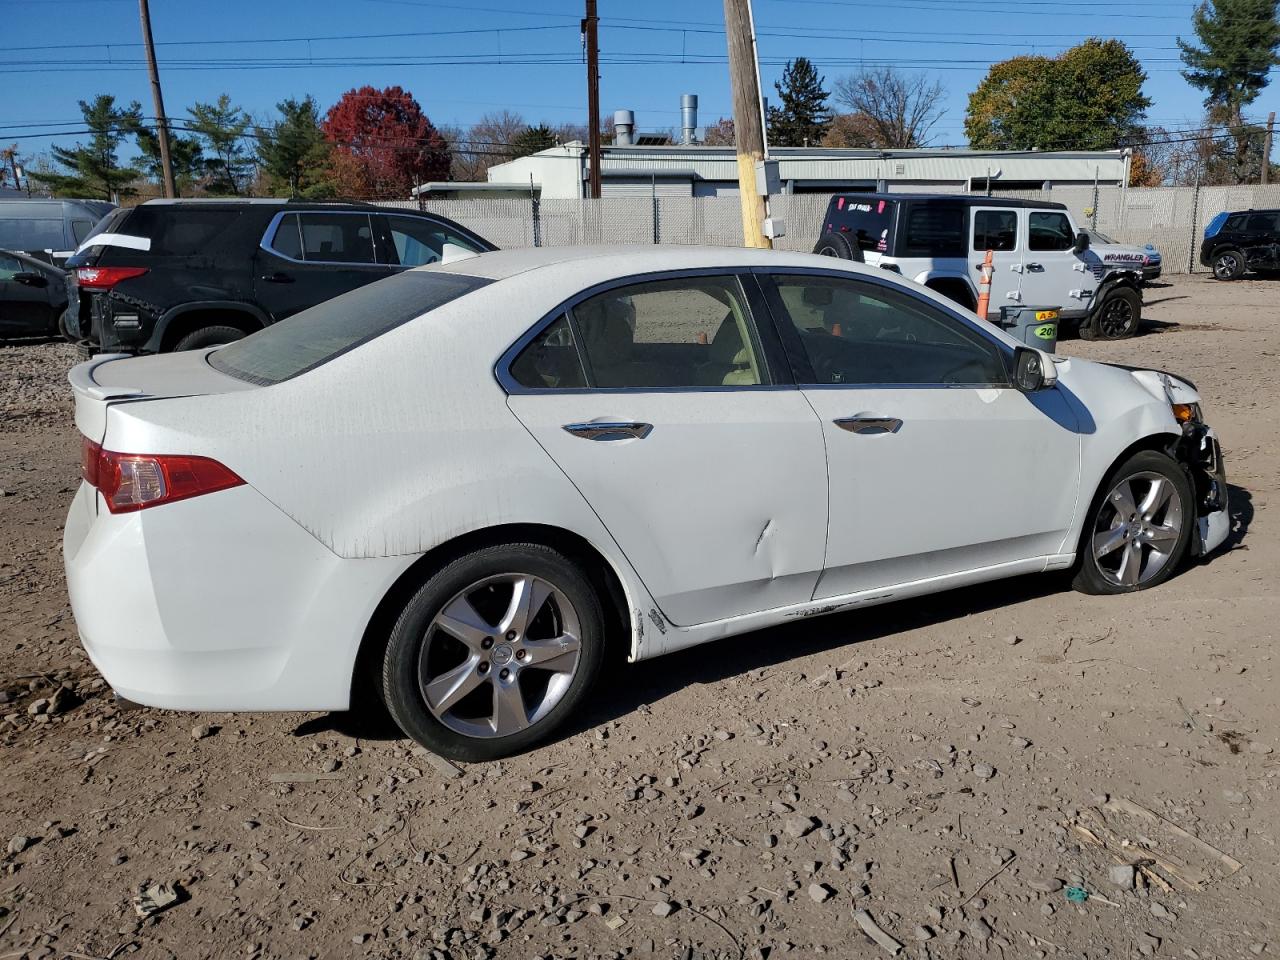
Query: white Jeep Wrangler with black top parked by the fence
{"points": [[1041, 257]]}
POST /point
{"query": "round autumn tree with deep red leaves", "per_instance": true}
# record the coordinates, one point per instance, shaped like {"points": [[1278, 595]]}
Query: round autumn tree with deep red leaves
{"points": [[385, 145]]}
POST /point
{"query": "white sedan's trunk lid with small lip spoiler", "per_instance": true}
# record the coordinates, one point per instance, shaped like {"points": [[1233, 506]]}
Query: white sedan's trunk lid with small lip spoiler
{"points": [[117, 378]]}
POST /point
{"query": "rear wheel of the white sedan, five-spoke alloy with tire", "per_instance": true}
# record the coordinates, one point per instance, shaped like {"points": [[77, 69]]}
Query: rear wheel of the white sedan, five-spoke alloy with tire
{"points": [[495, 652]]}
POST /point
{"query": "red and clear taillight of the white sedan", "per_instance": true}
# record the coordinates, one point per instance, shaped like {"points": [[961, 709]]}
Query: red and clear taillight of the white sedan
{"points": [[131, 482]]}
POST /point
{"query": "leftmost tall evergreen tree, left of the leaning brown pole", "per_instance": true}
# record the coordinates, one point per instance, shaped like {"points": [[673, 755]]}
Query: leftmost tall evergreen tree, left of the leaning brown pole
{"points": [[95, 171]]}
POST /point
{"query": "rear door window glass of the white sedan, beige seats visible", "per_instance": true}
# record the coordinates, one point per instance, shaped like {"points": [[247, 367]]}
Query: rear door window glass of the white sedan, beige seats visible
{"points": [[683, 333]]}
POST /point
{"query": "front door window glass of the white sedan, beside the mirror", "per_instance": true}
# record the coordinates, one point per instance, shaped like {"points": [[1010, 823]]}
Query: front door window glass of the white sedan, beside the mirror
{"points": [[858, 333]]}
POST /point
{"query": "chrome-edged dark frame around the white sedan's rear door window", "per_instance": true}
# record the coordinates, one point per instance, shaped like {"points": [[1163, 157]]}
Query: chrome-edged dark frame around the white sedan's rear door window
{"points": [[502, 369]]}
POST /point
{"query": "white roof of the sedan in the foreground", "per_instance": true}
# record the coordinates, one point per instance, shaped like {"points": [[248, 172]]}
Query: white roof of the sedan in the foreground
{"points": [[624, 260]]}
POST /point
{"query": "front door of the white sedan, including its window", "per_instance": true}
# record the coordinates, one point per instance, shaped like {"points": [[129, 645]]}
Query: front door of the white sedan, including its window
{"points": [[938, 467]]}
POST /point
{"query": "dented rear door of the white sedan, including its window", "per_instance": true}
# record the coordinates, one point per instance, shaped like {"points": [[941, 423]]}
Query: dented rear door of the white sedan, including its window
{"points": [[674, 415]]}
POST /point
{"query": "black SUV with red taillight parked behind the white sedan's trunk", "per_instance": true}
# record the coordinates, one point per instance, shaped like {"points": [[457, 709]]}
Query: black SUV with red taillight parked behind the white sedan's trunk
{"points": [[182, 275]]}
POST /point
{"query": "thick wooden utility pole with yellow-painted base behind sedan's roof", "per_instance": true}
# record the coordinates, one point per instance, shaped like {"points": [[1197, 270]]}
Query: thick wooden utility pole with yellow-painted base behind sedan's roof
{"points": [[748, 117]]}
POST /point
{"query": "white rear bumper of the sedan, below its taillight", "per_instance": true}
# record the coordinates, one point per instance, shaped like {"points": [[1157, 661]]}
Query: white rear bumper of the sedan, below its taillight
{"points": [[218, 604]]}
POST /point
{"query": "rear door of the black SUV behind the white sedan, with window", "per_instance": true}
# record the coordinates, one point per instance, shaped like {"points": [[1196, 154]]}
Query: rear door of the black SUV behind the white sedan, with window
{"points": [[309, 258]]}
